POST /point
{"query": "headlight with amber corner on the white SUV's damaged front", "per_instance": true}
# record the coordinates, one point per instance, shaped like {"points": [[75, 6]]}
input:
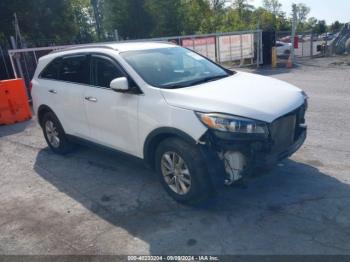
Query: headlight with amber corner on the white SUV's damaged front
{"points": [[233, 124]]}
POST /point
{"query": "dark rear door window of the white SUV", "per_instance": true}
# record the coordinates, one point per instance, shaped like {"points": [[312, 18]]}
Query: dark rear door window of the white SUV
{"points": [[75, 69]]}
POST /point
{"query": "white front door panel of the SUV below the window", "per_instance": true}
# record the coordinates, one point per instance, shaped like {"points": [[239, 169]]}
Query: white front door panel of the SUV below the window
{"points": [[113, 118]]}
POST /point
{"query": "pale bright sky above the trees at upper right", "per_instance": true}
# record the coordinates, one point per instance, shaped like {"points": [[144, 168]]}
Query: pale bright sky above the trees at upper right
{"points": [[321, 9]]}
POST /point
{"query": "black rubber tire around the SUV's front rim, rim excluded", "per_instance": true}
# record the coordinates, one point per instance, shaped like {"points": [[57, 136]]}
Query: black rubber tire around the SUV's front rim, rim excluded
{"points": [[201, 187]]}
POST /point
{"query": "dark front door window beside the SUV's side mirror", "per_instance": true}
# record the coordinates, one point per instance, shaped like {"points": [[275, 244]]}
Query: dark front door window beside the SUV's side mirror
{"points": [[104, 71]]}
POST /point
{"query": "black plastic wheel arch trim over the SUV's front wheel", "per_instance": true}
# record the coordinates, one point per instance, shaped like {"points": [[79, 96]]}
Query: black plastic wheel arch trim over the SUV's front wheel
{"points": [[157, 136]]}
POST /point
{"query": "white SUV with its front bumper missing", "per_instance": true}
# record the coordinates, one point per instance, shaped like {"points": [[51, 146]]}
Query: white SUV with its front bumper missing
{"points": [[198, 124]]}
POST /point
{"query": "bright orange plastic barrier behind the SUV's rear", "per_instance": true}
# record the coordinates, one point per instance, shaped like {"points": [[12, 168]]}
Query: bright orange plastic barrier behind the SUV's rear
{"points": [[14, 102]]}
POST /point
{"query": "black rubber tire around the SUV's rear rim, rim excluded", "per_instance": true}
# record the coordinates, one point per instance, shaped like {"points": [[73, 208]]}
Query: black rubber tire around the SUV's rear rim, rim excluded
{"points": [[64, 145]]}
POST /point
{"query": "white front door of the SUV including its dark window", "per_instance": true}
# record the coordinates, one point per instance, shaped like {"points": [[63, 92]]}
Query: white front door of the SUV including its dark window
{"points": [[112, 115]]}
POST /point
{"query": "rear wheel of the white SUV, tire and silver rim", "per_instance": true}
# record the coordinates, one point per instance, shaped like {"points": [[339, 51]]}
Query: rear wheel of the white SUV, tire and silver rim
{"points": [[55, 135]]}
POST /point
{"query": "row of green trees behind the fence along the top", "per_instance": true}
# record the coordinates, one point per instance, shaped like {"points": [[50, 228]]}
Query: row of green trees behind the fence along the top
{"points": [[45, 22]]}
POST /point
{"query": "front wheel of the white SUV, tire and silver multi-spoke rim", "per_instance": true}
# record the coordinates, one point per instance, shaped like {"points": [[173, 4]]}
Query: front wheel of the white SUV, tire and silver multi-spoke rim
{"points": [[183, 172]]}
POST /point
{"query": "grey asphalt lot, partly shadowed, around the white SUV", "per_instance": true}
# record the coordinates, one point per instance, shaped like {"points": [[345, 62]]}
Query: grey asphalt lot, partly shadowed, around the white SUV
{"points": [[96, 202]]}
